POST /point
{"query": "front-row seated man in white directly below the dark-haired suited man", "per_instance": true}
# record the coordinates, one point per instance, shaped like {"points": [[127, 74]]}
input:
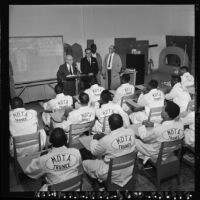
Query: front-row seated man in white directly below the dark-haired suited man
{"points": [[94, 92]]}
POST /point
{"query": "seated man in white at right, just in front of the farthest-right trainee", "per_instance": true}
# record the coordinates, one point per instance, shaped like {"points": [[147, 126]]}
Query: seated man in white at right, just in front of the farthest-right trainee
{"points": [[178, 93]]}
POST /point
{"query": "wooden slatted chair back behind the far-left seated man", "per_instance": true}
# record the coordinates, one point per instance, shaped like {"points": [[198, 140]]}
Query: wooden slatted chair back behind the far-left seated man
{"points": [[23, 141]]}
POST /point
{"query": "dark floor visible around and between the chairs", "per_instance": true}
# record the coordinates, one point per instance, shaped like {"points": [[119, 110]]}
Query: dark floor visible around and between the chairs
{"points": [[143, 183]]}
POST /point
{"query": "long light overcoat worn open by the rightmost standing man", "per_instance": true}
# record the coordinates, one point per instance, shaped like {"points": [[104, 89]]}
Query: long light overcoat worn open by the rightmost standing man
{"points": [[116, 68]]}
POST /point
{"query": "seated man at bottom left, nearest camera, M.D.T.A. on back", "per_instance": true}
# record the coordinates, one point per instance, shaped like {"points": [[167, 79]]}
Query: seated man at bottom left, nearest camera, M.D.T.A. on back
{"points": [[59, 164]]}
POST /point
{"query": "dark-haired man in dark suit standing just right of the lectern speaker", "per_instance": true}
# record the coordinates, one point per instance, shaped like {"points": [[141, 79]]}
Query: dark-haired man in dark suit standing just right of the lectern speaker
{"points": [[88, 66]]}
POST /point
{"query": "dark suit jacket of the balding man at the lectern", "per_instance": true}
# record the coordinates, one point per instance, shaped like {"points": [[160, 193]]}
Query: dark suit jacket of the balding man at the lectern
{"points": [[63, 72]]}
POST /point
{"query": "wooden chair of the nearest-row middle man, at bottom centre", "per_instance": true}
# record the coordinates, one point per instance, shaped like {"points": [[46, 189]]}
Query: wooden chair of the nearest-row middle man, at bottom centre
{"points": [[120, 163]]}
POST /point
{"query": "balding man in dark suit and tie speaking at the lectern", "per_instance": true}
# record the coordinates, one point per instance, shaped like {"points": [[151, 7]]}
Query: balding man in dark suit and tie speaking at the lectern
{"points": [[68, 68]]}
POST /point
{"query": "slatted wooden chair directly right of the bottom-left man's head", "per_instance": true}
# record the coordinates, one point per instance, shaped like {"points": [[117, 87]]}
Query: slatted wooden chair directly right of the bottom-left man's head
{"points": [[76, 130]]}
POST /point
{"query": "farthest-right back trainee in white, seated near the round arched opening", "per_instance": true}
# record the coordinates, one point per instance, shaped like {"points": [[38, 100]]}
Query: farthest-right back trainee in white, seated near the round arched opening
{"points": [[187, 79]]}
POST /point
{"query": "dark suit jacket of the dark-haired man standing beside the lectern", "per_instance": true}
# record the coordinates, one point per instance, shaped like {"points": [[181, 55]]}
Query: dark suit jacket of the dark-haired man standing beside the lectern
{"points": [[86, 68]]}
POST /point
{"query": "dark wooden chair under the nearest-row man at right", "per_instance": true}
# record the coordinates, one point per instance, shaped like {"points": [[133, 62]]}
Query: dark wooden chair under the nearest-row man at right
{"points": [[171, 165]]}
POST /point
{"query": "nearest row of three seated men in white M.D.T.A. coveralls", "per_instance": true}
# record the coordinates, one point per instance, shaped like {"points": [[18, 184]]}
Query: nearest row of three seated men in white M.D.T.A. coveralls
{"points": [[120, 141]]}
